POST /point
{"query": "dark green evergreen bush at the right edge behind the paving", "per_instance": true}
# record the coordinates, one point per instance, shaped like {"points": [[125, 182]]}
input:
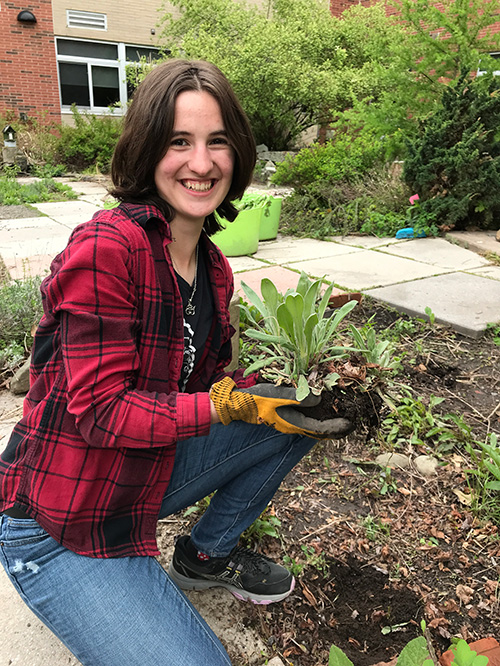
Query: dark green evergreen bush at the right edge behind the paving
{"points": [[454, 163]]}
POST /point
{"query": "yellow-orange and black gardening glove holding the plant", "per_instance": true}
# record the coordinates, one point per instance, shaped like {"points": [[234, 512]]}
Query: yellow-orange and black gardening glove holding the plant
{"points": [[274, 406]]}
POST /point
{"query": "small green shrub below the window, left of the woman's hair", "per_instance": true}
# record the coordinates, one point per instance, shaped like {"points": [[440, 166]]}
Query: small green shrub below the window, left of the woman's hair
{"points": [[90, 143]]}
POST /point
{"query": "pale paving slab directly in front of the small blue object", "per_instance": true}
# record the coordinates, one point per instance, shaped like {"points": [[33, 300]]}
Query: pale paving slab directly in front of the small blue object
{"points": [[436, 252]]}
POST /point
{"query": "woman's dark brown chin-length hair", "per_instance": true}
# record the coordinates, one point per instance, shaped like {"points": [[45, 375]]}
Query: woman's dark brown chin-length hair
{"points": [[148, 129]]}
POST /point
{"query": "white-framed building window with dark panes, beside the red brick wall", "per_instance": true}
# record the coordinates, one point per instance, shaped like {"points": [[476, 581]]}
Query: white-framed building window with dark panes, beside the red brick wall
{"points": [[92, 74]]}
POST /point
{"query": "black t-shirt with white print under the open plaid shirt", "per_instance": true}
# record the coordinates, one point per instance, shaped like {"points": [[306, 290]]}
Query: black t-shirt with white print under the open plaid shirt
{"points": [[196, 326]]}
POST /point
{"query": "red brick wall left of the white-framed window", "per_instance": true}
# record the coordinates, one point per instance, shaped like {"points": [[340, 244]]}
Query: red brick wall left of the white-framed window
{"points": [[28, 69]]}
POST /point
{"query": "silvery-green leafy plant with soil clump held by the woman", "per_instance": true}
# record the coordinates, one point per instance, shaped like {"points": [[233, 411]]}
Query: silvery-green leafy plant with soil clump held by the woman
{"points": [[302, 346]]}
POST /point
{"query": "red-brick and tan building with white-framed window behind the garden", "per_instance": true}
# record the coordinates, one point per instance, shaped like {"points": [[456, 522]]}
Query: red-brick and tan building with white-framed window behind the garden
{"points": [[78, 53]]}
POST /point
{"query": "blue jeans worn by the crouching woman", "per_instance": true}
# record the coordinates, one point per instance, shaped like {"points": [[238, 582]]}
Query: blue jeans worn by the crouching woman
{"points": [[126, 611]]}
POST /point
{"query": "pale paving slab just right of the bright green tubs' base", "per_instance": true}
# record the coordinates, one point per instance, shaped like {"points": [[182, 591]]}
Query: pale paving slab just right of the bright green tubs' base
{"points": [[287, 250]]}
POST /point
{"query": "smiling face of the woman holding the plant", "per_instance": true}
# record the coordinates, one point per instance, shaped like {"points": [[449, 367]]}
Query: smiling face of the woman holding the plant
{"points": [[195, 173]]}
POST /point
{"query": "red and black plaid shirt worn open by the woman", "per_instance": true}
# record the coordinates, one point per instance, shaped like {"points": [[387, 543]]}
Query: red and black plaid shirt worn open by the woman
{"points": [[92, 456]]}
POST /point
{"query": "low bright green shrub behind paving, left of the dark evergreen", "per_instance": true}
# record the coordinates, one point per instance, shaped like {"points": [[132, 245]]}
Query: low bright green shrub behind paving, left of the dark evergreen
{"points": [[344, 158]]}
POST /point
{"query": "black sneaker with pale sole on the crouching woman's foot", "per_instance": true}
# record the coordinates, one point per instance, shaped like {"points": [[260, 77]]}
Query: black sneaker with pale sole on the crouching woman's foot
{"points": [[246, 574]]}
